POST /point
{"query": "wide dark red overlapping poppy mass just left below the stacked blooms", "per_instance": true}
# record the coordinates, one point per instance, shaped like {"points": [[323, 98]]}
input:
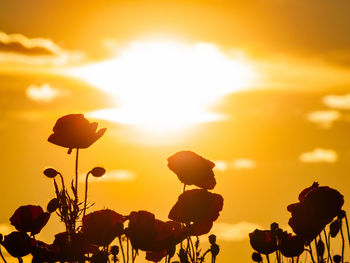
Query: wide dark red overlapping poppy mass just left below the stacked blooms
{"points": [[150, 234]]}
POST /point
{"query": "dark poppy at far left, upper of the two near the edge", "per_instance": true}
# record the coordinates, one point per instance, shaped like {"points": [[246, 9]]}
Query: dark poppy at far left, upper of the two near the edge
{"points": [[29, 218]]}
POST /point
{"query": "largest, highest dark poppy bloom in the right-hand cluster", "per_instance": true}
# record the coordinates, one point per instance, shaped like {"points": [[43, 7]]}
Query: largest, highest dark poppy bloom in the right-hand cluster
{"points": [[318, 208]]}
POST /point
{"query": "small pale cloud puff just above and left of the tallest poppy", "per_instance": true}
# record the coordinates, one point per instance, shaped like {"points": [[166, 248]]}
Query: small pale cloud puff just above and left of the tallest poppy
{"points": [[44, 92]]}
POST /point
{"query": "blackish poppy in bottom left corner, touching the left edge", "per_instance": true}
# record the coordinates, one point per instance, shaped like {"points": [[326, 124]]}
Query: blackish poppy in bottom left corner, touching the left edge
{"points": [[18, 244]]}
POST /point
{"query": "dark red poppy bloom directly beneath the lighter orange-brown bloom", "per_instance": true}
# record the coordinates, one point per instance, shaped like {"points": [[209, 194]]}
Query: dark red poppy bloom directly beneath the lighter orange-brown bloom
{"points": [[196, 206]]}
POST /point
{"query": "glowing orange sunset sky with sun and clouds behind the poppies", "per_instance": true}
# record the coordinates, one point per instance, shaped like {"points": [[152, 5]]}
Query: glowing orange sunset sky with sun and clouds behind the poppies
{"points": [[259, 87]]}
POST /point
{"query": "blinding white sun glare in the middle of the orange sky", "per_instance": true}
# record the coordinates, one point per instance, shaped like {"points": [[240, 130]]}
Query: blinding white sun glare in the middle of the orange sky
{"points": [[166, 86]]}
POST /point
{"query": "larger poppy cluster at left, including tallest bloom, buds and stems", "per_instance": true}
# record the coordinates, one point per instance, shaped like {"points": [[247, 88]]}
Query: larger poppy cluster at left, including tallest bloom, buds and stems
{"points": [[192, 215]]}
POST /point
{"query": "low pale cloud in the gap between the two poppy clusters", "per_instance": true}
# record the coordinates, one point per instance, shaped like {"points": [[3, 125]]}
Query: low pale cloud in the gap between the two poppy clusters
{"points": [[234, 232]]}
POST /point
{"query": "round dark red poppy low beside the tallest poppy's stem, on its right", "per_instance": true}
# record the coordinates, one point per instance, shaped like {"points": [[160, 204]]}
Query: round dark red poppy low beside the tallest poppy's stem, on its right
{"points": [[102, 226]]}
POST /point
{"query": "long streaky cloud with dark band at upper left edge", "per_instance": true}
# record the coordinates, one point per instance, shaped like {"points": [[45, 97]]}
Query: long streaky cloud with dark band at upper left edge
{"points": [[17, 48]]}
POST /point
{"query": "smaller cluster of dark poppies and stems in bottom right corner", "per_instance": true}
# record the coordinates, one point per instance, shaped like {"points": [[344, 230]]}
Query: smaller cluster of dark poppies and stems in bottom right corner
{"points": [[318, 207]]}
